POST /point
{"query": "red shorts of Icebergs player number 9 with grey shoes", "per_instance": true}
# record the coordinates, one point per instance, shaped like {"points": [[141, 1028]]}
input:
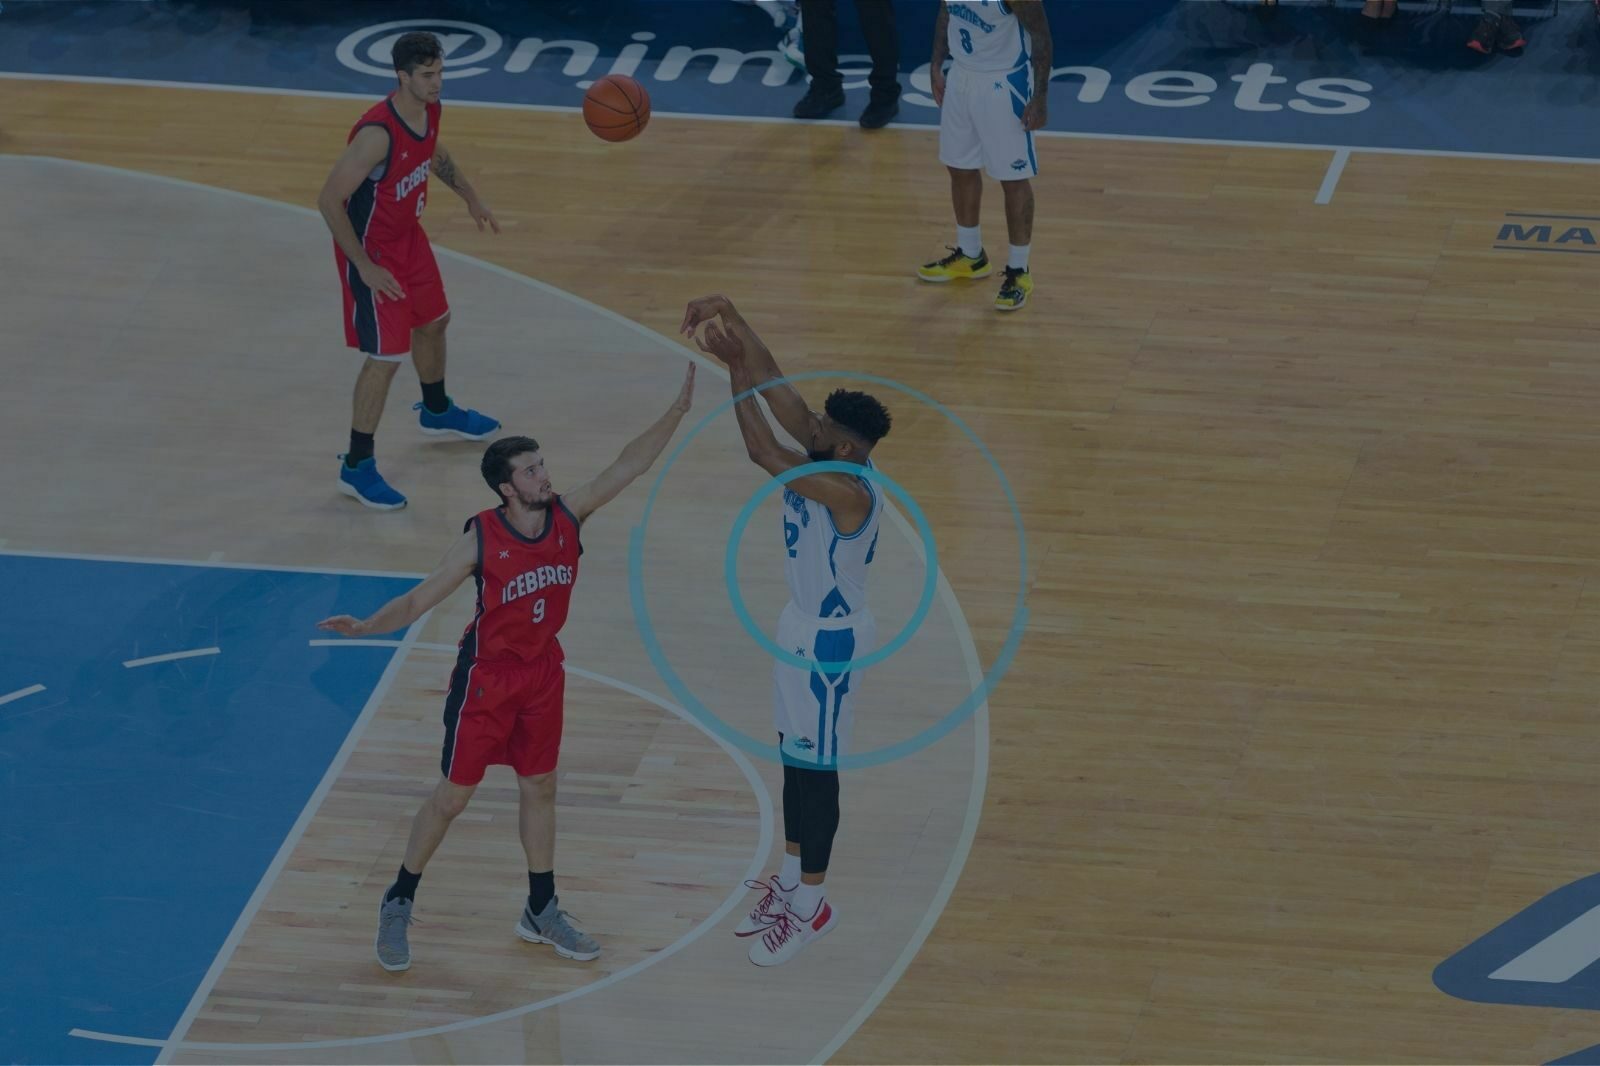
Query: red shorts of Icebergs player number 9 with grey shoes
{"points": [[503, 715]]}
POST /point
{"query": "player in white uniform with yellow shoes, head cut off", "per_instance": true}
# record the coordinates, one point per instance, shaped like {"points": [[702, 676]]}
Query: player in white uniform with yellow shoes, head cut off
{"points": [[990, 108]]}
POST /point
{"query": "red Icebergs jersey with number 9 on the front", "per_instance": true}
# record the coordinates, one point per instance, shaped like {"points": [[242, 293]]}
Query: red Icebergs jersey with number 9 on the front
{"points": [[526, 587]]}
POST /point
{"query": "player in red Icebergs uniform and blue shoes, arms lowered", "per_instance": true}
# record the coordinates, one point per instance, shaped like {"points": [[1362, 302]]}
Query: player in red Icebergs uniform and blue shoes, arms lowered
{"points": [[394, 299]]}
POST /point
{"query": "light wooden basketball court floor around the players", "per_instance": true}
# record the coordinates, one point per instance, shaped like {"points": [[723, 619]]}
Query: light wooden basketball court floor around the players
{"points": [[1305, 700]]}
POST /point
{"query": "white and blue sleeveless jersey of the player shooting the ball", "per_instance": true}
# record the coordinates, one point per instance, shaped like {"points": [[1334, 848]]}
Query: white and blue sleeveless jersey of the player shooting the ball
{"points": [[828, 571]]}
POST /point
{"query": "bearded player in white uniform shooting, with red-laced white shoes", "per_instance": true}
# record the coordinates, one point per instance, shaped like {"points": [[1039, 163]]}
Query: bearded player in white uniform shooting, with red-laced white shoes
{"points": [[831, 534]]}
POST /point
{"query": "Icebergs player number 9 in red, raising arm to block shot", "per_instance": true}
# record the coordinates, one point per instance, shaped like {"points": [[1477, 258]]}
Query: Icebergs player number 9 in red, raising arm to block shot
{"points": [[505, 703]]}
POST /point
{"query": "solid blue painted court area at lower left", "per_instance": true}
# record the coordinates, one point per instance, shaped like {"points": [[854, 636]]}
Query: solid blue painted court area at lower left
{"points": [[145, 804]]}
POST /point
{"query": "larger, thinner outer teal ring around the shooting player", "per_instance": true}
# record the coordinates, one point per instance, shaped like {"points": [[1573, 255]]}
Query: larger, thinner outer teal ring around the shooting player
{"points": [[769, 748]]}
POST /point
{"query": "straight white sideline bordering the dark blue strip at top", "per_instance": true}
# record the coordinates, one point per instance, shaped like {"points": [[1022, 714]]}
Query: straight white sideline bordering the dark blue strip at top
{"points": [[1070, 135]]}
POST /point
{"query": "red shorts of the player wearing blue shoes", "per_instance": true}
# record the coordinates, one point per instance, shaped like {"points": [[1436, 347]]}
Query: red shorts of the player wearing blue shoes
{"points": [[382, 326]]}
